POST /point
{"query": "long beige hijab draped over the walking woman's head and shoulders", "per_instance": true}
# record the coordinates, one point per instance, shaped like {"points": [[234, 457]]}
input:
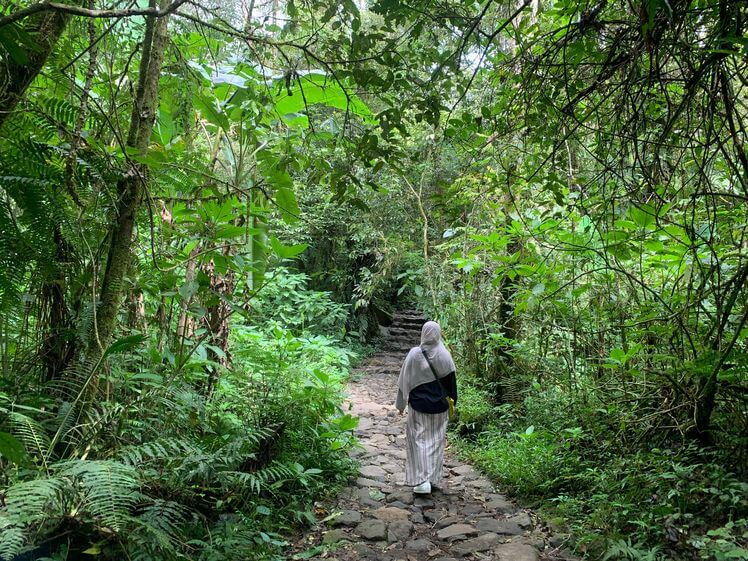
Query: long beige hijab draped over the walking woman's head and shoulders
{"points": [[415, 370]]}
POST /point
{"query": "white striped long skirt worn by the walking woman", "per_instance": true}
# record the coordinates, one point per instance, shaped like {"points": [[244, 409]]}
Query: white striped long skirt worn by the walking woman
{"points": [[425, 434]]}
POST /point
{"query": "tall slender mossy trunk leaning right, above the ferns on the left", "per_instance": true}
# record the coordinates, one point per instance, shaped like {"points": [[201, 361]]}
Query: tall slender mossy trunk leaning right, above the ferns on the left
{"points": [[131, 185]]}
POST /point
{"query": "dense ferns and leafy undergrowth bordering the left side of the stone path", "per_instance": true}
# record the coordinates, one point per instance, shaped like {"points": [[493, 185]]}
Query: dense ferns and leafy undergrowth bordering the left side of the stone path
{"points": [[161, 472]]}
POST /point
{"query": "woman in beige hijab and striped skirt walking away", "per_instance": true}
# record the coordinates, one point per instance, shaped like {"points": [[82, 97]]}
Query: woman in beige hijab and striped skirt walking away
{"points": [[427, 378]]}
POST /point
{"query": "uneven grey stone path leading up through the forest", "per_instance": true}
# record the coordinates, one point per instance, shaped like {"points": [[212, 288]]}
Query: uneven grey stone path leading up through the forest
{"points": [[377, 518]]}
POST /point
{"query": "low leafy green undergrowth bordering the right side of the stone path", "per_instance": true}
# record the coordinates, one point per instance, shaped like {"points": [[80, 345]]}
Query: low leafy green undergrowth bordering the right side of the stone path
{"points": [[642, 503]]}
